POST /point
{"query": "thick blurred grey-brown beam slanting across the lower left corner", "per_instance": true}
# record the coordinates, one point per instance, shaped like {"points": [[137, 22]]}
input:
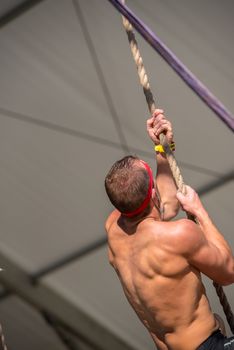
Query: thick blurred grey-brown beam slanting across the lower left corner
{"points": [[45, 299]]}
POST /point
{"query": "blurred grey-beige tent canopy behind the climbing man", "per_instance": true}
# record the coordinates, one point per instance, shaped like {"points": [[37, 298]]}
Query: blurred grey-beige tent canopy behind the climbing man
{"points": [[70, 105]]}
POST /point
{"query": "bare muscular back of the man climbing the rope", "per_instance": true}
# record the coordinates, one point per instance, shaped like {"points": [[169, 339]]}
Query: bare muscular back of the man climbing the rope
{"points": [[164, 290]]}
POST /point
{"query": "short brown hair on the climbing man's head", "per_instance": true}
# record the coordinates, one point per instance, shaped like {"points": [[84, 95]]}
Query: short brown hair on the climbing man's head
{"points": [[127, 184]]}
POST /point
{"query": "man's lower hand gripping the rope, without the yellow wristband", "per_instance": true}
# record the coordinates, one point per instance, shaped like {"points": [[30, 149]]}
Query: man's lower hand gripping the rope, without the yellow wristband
{"points": [[190, 202]]}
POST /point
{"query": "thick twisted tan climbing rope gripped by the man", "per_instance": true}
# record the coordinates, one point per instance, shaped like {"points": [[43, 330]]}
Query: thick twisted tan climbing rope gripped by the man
{"points": [[144, 81]]}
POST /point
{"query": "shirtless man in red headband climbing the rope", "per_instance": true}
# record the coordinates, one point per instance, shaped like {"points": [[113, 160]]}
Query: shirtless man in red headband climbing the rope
{"points": [[159, 262]]}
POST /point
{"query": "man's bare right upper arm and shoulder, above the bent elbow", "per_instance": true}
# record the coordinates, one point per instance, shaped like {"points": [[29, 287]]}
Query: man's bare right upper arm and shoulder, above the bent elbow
{"points": [[203, 254]]}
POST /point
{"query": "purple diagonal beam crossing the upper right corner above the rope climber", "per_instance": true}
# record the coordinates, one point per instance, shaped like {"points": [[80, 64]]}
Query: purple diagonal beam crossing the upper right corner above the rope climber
{"points": [[195, 84]]}
